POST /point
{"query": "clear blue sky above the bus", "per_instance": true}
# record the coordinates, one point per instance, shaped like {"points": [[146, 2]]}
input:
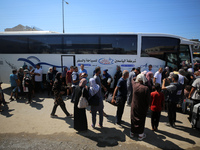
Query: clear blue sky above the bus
{"points": [[177, 17]]}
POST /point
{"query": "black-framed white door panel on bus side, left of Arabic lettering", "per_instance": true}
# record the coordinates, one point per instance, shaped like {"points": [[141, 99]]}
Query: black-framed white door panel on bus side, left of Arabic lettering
{"points": [[67, 61]]}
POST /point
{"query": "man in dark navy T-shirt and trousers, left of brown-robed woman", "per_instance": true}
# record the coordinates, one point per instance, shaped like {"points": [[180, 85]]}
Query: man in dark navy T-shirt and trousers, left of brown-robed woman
{"points": [[121, 96]]}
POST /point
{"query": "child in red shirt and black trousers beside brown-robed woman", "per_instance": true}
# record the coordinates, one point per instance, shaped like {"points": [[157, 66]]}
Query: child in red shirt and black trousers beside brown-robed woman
{"points": [[157, 100]]}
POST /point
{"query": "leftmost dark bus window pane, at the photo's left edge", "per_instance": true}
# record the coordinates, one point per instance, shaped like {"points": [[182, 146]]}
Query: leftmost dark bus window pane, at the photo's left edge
{"points": [[13, 44]]}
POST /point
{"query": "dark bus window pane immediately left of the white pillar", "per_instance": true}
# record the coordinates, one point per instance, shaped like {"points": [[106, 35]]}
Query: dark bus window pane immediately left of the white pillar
{"points": [[119, 44]]}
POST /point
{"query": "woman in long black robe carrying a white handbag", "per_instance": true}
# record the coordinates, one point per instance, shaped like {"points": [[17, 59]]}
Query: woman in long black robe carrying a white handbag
{"points": [[80, 120]]}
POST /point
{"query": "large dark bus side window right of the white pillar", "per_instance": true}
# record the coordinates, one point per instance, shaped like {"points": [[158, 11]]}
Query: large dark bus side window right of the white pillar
{"points": [[158, 46]]}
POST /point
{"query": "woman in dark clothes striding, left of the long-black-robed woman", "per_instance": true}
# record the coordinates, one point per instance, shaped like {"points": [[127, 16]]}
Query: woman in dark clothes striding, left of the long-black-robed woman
{"points": [[59, 90]]}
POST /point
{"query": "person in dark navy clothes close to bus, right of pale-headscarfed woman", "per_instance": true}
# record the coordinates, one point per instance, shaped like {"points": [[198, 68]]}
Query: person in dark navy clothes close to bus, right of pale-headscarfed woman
{"points": [[106, 82]]}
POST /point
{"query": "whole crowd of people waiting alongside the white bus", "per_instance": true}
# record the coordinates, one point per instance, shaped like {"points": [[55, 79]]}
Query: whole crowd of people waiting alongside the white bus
{"points": [[141, 91]]}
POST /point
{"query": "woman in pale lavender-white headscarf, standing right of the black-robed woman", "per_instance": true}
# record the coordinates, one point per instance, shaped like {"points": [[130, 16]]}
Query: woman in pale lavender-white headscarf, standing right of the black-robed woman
{"points": [[95, 90]]}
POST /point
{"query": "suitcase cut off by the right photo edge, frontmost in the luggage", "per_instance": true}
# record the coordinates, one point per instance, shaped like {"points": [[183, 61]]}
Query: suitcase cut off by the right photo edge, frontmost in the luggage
{"points": [[195, 122]]}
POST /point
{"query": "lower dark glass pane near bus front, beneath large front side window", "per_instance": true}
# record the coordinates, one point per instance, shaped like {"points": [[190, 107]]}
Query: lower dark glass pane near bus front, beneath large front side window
{"points": [[171, 60]]}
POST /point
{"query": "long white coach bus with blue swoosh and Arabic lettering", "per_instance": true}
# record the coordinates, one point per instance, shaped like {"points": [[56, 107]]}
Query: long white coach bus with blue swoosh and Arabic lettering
{"points": [[127, 50]]}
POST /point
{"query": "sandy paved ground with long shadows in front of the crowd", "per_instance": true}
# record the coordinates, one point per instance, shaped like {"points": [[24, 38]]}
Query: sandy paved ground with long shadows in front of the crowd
{"points": [[30, 127]]}
